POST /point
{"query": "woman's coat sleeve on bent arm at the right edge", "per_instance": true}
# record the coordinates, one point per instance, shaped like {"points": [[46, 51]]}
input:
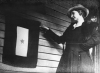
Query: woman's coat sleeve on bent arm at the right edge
{"points": [[92, 41]]}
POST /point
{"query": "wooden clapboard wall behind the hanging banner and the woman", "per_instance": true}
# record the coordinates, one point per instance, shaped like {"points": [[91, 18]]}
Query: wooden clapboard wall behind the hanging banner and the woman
{"points": [[49, 52]]}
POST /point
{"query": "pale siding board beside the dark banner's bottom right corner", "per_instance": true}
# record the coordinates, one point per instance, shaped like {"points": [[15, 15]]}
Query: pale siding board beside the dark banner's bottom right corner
{"points": [[47, 63]]}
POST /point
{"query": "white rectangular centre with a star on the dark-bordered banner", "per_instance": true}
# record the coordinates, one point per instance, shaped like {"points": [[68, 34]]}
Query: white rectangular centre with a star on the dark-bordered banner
{"points": [[22, 41]]}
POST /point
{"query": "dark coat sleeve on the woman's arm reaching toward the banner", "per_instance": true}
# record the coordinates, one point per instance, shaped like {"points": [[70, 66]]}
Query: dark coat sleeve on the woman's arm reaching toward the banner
{"points": [[59, 39]]}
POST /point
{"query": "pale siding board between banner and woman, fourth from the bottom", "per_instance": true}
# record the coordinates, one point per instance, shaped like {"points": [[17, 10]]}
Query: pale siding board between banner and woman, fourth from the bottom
{"points": [[49, 50]]}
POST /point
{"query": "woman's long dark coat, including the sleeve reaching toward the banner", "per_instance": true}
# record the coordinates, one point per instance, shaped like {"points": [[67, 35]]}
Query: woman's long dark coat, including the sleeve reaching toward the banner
{"points": [[75, 57]]}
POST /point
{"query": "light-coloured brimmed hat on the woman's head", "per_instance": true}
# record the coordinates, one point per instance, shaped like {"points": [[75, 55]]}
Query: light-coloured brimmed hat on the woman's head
{"points": [[78, 7]]}
